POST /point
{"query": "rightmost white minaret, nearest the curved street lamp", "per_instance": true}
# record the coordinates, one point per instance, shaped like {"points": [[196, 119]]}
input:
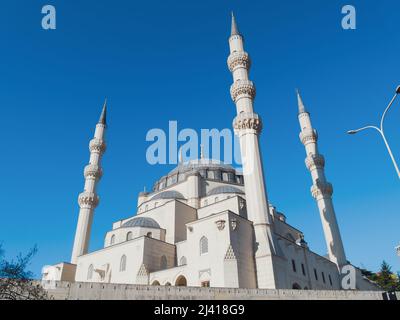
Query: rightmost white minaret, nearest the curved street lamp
{"points": [[321, 190]]}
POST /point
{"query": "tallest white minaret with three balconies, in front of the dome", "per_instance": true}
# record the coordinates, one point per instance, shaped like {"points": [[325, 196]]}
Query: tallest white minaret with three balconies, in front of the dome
{"points": [[247, 126]]}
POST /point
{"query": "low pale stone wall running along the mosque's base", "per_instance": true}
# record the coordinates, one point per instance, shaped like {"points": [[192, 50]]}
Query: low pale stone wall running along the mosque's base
{"points": [[99, 291]]}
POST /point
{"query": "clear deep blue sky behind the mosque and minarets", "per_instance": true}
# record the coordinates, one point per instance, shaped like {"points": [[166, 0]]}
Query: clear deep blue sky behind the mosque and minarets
{"points": [[166, 60]]}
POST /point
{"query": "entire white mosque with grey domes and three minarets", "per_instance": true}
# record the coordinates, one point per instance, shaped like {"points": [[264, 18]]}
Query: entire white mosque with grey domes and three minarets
{"points": [[205, 224]]}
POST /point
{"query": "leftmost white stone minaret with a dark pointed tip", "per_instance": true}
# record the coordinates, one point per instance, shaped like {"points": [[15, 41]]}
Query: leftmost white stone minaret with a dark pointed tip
{"points": [[88, 199]]}
